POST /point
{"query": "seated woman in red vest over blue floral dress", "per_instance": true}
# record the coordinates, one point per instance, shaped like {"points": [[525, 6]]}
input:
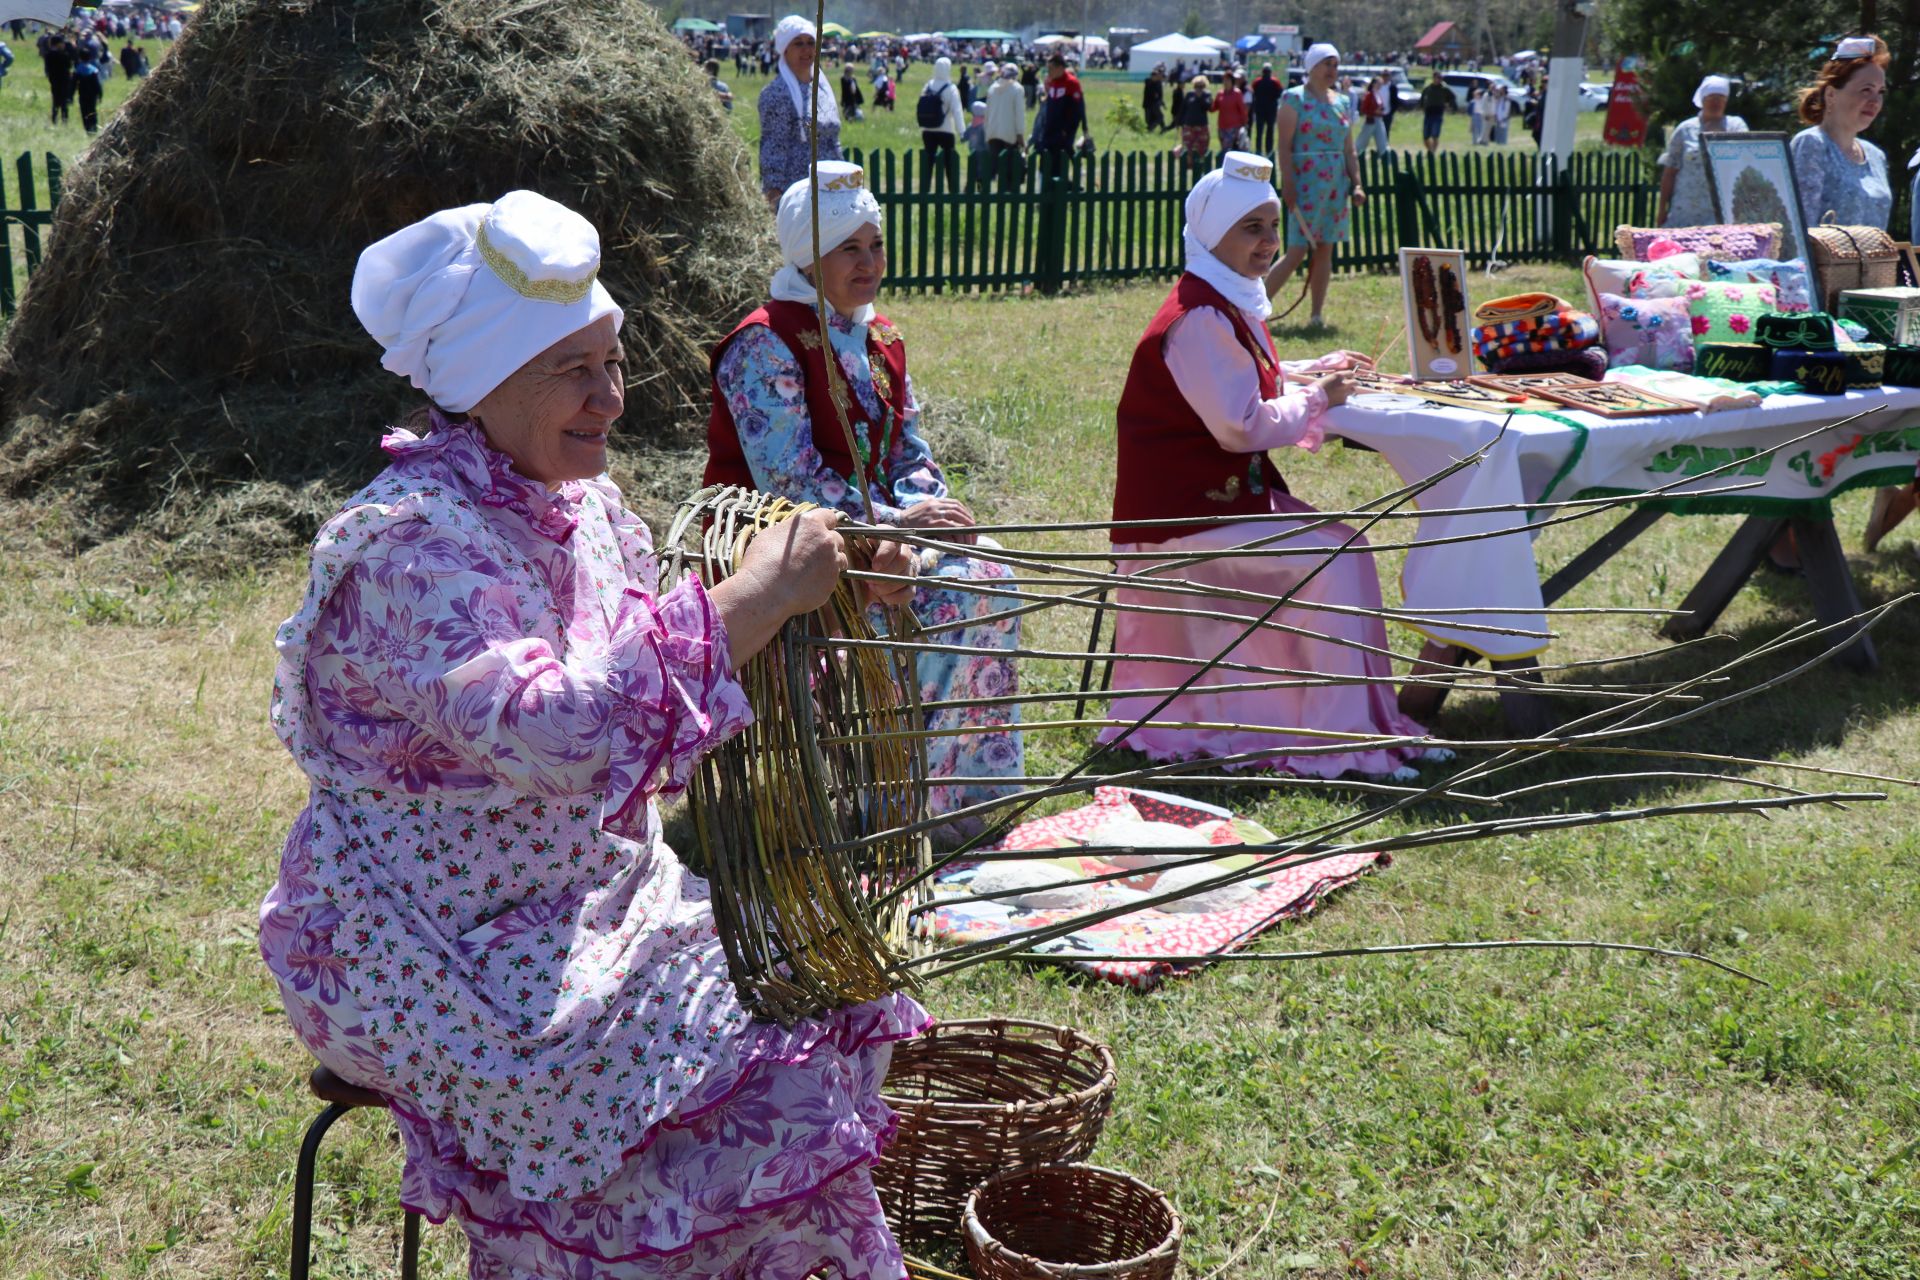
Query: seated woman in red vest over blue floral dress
{"points": [[775, 429]]}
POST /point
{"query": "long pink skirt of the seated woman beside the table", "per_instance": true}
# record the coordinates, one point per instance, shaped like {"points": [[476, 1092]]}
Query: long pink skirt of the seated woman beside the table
{"points": [[1284, 723]]}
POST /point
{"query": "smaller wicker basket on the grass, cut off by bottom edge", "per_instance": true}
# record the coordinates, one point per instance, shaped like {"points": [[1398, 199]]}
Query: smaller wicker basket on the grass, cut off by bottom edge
{"points": [[1070, 1223]]}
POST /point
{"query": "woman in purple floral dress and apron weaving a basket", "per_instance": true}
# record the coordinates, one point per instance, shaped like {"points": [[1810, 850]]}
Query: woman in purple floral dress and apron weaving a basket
{"points": [[477, 914]]}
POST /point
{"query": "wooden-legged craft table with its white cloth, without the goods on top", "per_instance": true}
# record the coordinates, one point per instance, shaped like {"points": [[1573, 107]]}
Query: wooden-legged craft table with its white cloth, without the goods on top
{"points": [[1568, 454]]}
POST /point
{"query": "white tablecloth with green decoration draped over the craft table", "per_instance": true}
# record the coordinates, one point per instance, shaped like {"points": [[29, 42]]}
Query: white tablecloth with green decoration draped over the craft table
{"points": [[1577, 454]]}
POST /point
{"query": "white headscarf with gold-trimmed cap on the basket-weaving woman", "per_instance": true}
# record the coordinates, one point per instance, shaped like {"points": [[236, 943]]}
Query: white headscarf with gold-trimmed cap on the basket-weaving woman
{"points": [[468, 296]]}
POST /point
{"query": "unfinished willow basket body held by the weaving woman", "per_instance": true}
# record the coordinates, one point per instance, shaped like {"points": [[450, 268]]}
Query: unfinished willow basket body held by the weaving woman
{"points": [[784, 813]]}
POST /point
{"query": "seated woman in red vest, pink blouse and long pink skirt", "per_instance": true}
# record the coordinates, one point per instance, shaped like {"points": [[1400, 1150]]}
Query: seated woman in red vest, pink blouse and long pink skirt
{"points": [[1205, 402]]}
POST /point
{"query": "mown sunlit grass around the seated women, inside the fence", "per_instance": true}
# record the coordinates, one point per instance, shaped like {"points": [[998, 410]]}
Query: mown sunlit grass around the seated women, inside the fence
{"points": [[1535, 1116]]}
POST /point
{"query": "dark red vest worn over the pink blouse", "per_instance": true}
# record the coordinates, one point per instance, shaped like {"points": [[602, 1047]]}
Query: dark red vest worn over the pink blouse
{"points": [[1170, 465]]}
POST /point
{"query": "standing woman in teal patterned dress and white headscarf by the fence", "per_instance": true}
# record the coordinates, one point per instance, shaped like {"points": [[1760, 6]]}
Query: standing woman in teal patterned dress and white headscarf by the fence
{"points": [[1320, 176]]}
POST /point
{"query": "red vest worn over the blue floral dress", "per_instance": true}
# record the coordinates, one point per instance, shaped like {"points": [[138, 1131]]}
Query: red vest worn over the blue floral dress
{"points": [[800, 329]]}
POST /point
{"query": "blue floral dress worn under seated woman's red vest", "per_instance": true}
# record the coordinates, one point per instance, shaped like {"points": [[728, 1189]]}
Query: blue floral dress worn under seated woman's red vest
{"points": [[765, 391]]}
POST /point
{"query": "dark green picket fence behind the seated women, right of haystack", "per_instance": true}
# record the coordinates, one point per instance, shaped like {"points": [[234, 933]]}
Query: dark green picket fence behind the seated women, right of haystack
{"points": [[1057, 222]]}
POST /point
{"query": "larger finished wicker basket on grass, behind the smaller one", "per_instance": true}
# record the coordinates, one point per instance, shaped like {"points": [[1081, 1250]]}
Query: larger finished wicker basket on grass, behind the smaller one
{"points": [[982, 1097]]}
